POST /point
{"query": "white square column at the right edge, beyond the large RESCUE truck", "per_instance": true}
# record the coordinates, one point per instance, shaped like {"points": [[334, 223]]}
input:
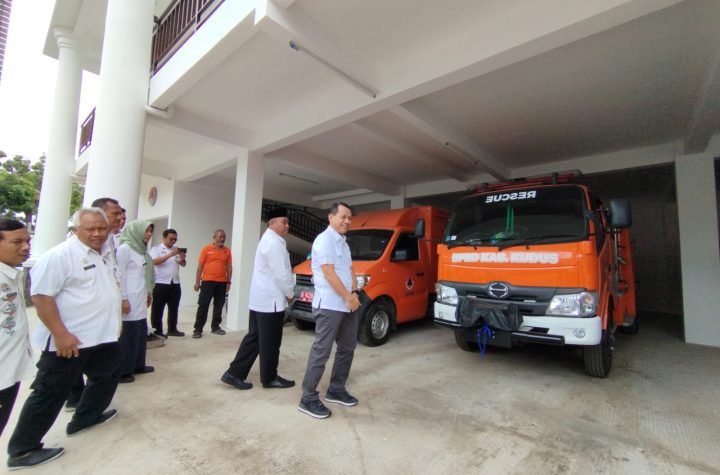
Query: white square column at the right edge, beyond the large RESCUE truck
{"points": [[699, 254]]}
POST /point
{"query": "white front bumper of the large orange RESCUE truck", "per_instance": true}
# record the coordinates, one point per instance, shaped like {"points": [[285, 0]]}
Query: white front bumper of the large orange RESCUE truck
{"points": [[538, 329]]}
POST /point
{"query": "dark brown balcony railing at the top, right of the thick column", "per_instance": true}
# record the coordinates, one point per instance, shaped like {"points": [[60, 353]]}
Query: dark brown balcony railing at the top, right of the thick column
{"points": [[181, 19]]}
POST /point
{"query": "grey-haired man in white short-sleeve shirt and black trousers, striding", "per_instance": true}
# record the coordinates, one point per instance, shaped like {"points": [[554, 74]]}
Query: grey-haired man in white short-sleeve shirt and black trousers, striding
{"points": [[76, 293]]}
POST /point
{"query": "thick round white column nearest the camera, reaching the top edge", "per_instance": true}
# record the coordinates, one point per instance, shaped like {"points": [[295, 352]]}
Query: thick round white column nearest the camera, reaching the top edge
{"points": [[119, 132]]}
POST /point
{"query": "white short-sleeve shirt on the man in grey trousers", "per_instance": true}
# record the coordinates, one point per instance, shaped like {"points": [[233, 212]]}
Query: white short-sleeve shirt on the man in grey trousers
{"points": [[330, 247]]}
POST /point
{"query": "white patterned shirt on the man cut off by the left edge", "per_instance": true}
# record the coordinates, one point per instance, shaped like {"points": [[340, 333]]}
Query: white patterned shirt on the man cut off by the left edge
{"points": [[15, 352]]}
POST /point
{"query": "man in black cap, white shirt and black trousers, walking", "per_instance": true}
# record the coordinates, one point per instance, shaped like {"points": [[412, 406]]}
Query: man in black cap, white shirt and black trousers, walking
{"points": [[271, 290]]}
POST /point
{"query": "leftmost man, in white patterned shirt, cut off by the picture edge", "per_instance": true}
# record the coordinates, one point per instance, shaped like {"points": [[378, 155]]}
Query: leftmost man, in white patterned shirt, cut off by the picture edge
{"points": [[15, 351]]}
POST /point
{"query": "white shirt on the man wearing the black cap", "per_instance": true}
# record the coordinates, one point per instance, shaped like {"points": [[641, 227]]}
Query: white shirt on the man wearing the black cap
{"points": [[272, 280]]}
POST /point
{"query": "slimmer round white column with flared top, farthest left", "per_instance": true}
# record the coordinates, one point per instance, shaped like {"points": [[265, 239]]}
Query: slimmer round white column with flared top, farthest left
{"points": [[56, 188]]}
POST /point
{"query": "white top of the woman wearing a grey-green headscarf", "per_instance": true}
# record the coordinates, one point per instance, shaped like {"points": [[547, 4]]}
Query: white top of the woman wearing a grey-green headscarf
{"points": [[131, 267]]}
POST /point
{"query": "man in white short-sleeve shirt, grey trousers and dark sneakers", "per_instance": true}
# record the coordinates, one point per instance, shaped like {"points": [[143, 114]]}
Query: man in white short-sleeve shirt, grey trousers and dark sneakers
{"points": [[334, 304]]}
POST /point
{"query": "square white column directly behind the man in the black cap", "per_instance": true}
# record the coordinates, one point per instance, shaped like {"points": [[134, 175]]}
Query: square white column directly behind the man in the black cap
{"points": [[249, 179]]}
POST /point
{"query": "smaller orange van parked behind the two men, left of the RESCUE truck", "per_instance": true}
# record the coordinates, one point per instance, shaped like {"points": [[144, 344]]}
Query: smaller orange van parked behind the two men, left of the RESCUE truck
{"points": [[394, 255]]}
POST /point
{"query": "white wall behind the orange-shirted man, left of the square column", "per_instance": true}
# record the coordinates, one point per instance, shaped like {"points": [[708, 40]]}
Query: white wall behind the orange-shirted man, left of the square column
{"points": [[197, 211]]}
